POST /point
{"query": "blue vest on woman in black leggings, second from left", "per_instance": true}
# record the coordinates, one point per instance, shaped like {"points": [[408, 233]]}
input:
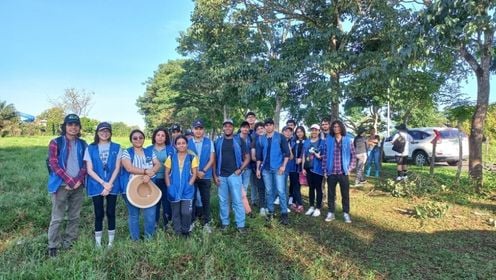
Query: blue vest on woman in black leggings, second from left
{"points": [[94, 188]]}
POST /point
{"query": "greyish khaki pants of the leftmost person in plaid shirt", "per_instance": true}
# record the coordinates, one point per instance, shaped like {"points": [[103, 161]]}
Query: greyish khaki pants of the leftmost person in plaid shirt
{"points": [[62, 200]]}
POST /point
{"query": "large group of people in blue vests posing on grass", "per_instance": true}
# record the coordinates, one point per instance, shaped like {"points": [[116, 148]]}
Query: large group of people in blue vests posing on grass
{"points": [[256, 159]]}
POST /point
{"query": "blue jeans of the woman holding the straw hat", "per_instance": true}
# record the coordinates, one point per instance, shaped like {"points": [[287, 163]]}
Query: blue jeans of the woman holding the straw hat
{"points": [[133, 219]]}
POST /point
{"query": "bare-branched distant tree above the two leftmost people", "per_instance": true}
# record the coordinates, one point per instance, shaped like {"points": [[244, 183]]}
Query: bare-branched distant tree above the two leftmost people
{"points": [[77, 101]]}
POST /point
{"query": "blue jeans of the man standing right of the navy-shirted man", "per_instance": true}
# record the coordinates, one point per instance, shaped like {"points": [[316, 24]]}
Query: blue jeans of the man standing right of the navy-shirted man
{"points": [[275, 185]]}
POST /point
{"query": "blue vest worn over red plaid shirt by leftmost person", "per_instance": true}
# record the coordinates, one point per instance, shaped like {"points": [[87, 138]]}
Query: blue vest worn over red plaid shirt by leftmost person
{"points": [[54, 181]]}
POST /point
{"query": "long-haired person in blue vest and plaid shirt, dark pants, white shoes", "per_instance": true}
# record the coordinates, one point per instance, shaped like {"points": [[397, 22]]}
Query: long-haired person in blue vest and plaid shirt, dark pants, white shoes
{"points": [[341, 160]]}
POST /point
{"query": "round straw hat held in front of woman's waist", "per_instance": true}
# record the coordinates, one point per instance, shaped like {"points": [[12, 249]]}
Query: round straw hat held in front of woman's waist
{"points": [[142, 195]]}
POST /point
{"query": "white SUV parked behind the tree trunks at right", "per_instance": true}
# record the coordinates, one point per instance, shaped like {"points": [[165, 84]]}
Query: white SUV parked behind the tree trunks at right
{"points": [[420, 150]]}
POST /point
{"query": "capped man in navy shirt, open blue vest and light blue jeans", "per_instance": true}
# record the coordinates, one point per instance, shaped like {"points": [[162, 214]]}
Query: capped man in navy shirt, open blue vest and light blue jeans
{"points": [[232, 159]]}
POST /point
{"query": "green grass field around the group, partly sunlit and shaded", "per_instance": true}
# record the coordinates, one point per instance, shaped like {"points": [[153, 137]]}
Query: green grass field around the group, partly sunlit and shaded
{"points": [[385, 241]]}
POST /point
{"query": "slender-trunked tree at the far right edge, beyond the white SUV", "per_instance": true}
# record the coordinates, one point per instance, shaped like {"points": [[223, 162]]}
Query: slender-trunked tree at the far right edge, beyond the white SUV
{"points": [[463, 32]]}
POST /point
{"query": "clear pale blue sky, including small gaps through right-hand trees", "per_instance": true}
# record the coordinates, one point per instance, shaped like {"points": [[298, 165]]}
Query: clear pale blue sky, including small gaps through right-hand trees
{"points": [[108, 47]]}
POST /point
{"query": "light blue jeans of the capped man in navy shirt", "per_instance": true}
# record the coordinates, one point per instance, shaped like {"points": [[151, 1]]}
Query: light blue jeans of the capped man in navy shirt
{"points": [[231, 185]]}
